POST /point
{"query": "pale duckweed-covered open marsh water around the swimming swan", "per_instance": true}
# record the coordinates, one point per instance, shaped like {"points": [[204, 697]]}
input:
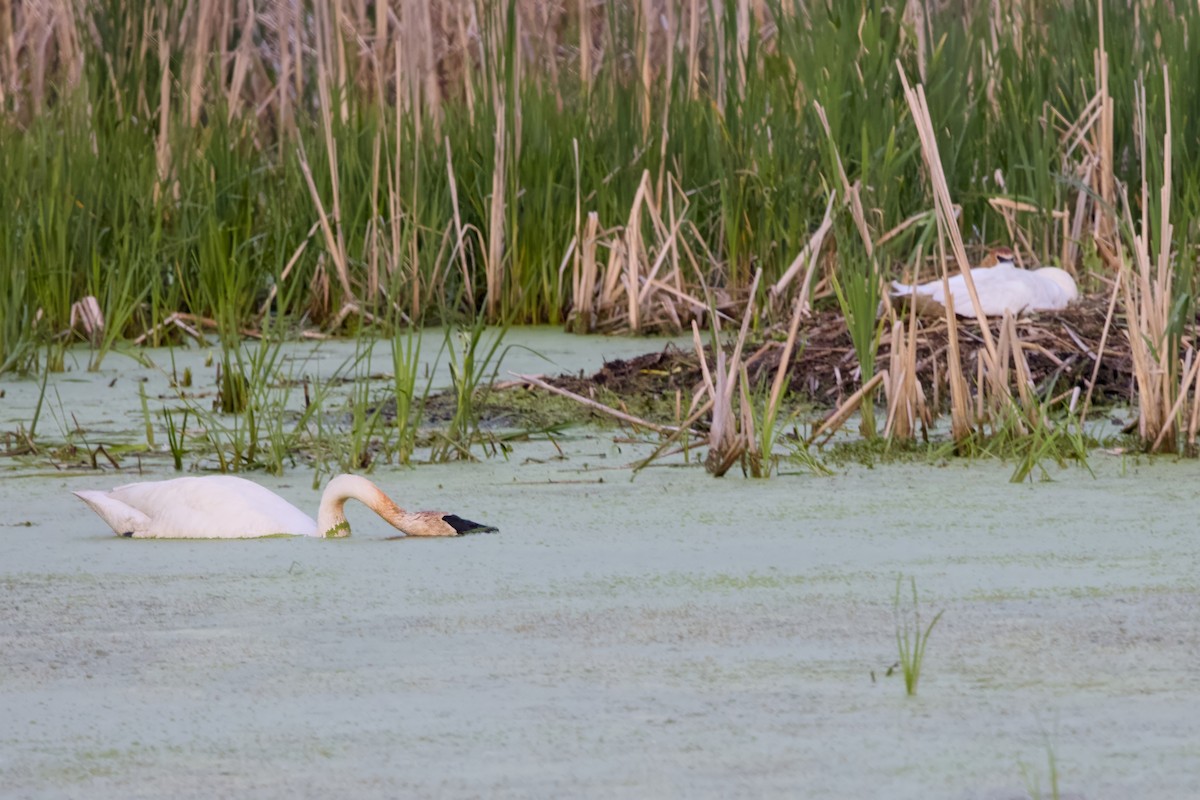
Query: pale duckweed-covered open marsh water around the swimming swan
{"points": [[669, 636]]}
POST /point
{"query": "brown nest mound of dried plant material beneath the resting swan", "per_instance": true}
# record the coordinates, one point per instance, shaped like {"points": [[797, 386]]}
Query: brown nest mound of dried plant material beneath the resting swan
{"points": [[1061, 350]]}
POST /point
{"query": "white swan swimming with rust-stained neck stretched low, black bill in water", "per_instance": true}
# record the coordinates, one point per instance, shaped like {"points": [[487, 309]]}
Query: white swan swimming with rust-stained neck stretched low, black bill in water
{"points": [[223, 507]]}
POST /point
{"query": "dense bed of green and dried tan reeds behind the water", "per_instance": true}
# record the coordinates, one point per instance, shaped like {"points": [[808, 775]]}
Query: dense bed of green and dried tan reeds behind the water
{"points": [[609, 166]]}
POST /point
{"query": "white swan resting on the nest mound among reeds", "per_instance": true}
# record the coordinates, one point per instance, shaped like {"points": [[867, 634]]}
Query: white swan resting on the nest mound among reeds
{"points": [[1001, 288]]}
